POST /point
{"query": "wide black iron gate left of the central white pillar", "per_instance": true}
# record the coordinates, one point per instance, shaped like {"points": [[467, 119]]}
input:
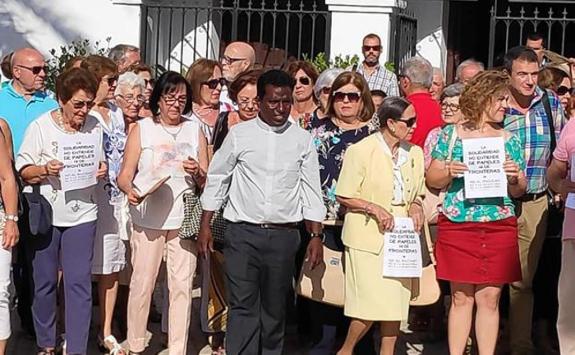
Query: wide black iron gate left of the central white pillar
{"points": [[174, 33]]}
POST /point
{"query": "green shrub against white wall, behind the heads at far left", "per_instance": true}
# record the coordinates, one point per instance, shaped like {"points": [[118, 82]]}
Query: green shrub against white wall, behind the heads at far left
{"points": [[80, 47]]}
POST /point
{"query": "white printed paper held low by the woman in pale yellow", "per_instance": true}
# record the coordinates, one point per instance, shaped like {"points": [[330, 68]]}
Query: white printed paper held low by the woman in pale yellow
{"points": [[402, 250]]}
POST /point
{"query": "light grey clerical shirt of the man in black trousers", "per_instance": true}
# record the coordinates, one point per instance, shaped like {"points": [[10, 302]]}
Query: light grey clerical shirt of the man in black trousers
{"points": [[265, 174]]}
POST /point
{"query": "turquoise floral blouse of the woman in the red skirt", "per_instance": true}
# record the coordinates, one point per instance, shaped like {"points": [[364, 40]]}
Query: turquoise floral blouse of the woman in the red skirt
{"points": [[458, 209]]}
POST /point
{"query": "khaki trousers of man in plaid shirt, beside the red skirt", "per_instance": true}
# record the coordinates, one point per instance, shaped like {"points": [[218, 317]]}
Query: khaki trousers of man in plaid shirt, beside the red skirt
{"points": [[532, 226]]}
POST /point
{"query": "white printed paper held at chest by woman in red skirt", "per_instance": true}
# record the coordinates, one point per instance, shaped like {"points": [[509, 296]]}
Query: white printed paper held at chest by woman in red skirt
{"points": [[484, 158]]}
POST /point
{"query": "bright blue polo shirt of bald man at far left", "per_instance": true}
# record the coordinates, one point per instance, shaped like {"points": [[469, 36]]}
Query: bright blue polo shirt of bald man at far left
{"points": [[19, 113]]}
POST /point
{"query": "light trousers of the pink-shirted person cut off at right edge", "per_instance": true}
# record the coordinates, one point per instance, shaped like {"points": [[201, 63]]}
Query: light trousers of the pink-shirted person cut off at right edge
{"points": [[566, 293]]}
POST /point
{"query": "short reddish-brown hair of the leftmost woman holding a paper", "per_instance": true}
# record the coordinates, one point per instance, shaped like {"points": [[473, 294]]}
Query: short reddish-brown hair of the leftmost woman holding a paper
{"points": [[71, 81]]}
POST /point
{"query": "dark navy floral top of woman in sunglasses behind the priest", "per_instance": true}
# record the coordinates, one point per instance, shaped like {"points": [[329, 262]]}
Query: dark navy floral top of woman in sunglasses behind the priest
{"points": [[331, 143]]}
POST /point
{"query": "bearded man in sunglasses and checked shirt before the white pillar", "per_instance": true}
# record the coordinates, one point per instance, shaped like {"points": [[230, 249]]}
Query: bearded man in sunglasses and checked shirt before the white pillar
{"points": [[377, 77]]}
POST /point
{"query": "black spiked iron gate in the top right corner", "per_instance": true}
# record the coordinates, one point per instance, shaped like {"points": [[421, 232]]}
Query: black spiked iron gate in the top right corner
{"points": [[512, 22]]}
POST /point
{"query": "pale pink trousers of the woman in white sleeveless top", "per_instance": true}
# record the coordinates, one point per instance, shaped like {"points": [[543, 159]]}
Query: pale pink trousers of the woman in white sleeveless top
{"points": [[147, 251]]}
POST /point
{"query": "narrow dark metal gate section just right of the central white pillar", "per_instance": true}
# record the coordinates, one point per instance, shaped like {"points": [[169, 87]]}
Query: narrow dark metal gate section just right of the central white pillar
{"points": [[403, 39]]}
